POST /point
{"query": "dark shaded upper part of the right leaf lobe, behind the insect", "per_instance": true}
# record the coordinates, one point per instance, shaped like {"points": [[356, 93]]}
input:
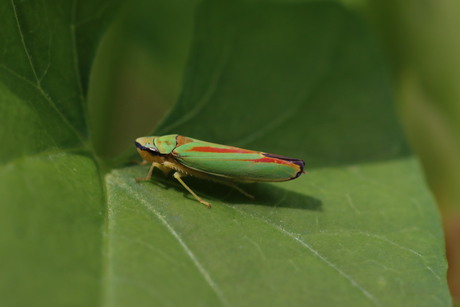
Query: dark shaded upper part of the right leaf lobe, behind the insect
{"points": [[316, 53]]}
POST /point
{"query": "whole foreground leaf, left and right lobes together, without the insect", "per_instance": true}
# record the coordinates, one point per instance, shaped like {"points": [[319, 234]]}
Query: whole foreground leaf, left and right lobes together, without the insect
{"points": [[303, 80]]}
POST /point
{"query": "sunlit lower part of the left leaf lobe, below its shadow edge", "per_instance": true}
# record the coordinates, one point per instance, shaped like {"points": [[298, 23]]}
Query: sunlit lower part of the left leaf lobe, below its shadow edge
{"points": [[52, 214]]}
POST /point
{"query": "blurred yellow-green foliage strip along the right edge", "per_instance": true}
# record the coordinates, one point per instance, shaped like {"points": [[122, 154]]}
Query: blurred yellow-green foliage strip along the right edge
{"points": [[424, 46]]}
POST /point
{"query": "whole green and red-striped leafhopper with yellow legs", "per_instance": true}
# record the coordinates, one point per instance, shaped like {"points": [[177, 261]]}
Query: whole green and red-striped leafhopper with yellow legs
{"points": [[220, 163]]}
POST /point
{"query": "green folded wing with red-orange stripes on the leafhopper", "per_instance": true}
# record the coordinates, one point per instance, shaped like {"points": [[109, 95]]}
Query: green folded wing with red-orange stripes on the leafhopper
{"points": [[236, 163]]}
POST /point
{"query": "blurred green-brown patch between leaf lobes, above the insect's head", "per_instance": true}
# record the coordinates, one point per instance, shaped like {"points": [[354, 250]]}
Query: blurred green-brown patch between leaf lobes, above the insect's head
{"points": [[138, 72]]}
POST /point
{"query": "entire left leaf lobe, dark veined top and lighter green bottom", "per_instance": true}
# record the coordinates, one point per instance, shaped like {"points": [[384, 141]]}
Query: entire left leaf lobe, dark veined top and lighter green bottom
{"points": [[52, 211]]}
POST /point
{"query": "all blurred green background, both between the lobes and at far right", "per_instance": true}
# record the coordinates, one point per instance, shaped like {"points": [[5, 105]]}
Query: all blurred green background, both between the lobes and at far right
{"points": [[143, 57]]}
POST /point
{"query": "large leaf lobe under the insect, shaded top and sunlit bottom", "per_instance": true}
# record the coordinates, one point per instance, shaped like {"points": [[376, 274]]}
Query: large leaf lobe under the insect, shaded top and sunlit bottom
{"points": [[301, 80]]}
